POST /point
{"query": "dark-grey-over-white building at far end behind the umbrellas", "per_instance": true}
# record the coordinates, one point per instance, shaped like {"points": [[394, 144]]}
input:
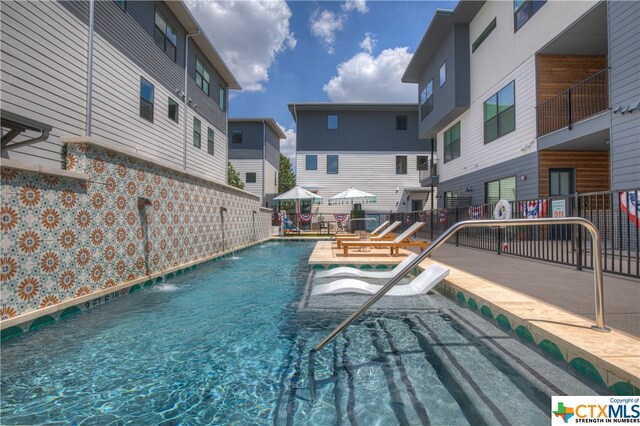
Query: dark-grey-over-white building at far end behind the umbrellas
{"points": [[371, 147]]}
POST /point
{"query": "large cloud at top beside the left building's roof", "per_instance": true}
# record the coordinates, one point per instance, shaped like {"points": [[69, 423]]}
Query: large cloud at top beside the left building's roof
{"points": [[248, 35]]}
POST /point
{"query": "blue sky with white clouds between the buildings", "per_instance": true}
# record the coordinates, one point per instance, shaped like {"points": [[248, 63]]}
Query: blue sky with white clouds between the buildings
{"points": [[314, 51]]}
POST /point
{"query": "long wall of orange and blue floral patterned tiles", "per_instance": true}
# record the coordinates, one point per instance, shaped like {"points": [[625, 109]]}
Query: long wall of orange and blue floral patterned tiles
{"points": [[64, 238]]}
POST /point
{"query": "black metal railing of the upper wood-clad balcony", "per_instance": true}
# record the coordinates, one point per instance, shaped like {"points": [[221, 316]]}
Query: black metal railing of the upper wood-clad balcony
{"points": [[586, 99]]}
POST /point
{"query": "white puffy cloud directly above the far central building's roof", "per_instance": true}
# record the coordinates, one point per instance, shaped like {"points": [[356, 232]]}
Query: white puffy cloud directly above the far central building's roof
{"points": [[367, 78]]}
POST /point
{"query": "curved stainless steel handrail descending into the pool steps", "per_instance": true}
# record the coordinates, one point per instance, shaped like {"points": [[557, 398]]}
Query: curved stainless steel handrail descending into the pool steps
{"points": [[597, 274]]}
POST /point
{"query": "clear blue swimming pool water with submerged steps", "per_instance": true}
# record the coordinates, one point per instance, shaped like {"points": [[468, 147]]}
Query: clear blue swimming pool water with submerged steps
{"points": [[227, 343]]}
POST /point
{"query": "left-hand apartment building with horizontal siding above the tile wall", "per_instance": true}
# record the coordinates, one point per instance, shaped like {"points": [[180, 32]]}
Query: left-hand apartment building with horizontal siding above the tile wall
{"points": [[135, 74]]}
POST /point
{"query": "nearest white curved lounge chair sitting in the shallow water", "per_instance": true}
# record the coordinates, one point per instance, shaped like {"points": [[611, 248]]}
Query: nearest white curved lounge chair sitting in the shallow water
{"points": [[419, 285]]}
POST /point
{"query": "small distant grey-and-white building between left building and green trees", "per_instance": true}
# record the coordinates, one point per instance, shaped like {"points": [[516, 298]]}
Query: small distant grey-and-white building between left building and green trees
{"points": [[254, 152]]}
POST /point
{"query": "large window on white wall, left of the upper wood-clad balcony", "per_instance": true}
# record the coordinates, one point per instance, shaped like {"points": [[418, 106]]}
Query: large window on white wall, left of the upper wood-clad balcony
{"points": [[500, 113]]}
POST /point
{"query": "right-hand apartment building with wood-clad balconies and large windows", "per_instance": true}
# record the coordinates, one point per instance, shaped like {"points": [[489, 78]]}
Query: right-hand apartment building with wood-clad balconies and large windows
{"points": [[531, 99]]}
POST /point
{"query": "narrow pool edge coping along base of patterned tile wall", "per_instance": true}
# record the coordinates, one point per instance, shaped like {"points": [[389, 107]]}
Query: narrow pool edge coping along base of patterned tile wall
{"points": [[26, 321]]}
